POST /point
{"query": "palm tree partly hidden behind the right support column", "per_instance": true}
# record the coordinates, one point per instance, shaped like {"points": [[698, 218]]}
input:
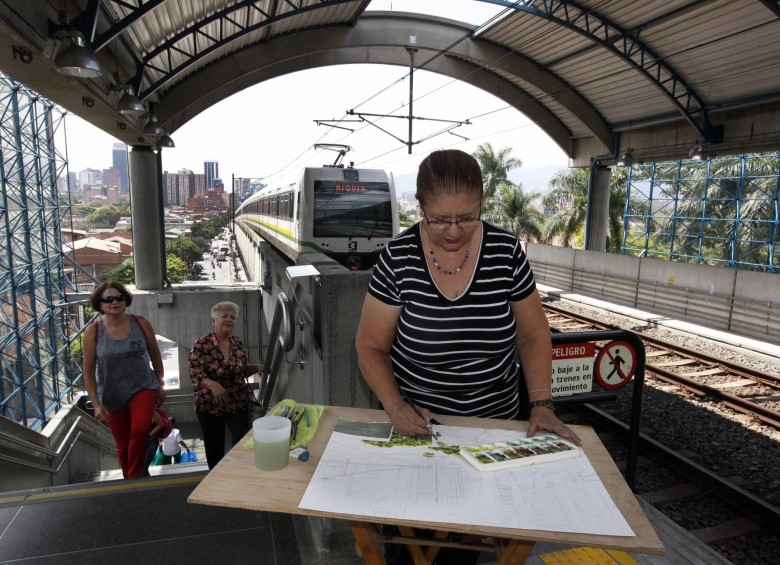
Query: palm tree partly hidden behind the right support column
{"points": [[571, 186]]}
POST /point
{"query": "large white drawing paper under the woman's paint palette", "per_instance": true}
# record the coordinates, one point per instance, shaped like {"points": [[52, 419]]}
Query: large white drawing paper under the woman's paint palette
{"points": [[402, 482]]}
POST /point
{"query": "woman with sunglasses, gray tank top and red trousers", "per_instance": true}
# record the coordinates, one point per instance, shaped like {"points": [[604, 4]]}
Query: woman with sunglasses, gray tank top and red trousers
{"points": [[123, 373]]}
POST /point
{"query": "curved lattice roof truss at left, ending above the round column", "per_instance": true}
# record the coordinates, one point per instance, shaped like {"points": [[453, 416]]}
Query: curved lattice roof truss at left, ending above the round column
{"points": [[197, 31]]}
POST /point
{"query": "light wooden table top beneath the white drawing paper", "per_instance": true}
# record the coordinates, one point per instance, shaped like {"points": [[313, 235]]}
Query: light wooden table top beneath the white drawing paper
{"points": [[236, 483]]}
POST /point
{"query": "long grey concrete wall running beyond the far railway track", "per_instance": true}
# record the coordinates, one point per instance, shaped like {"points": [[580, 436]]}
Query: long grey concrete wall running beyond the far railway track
{"points": [[743, 302]]}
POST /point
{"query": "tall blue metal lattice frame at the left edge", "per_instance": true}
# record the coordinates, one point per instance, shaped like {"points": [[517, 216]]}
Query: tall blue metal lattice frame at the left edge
{"points": [[37, 371]]}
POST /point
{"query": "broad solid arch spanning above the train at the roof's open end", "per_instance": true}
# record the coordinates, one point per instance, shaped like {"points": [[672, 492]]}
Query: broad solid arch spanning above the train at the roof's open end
{"points": [[188, 98]]}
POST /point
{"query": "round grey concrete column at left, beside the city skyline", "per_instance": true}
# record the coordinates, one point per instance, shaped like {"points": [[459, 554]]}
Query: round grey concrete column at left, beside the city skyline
{"points": [[148, 230]]}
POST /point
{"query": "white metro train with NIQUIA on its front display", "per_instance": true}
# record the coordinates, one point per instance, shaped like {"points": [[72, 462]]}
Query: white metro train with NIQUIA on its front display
{"points": [[345, 213]]}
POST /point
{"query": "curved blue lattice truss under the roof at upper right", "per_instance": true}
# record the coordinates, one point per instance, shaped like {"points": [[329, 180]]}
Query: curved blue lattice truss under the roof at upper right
{"points": [[627, 46]]}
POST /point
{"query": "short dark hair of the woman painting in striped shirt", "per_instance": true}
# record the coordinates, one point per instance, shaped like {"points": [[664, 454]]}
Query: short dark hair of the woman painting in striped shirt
{"points": [[450, 172]]}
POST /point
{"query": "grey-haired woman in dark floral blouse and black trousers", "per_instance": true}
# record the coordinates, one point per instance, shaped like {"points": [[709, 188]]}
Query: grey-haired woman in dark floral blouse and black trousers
{"points": [[218, 367]]}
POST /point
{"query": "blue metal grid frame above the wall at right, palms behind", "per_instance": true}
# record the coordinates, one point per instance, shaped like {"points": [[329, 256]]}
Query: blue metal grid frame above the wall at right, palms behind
{"points": [[722, 212]]}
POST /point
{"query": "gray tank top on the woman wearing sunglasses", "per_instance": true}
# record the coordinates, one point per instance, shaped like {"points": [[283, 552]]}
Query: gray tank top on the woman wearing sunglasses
{"points": [[123, 366]]}
